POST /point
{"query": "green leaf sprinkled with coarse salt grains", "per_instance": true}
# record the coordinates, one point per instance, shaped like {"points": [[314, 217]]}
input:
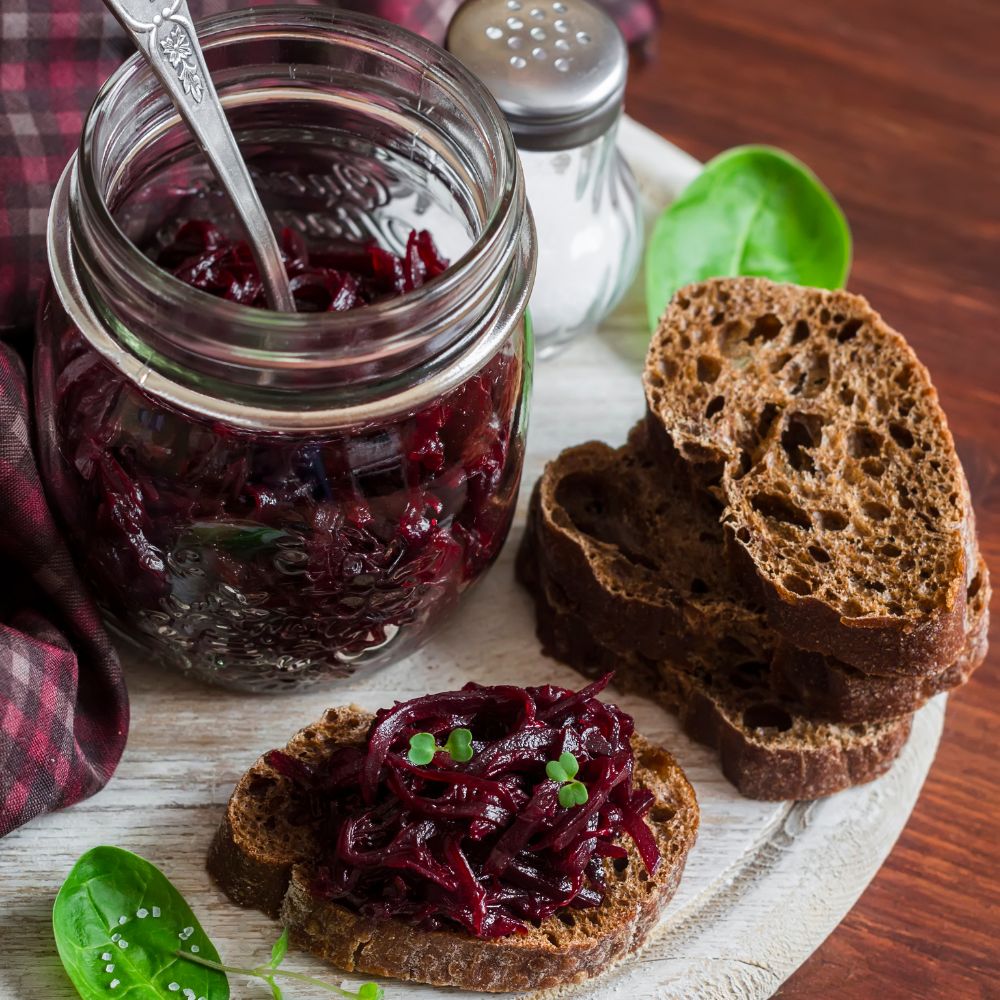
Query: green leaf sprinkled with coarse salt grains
{"points": [[117, 922]]}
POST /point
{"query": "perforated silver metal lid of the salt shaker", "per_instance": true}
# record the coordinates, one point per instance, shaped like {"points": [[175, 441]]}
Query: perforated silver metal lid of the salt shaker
{"points": [[557, 68]]}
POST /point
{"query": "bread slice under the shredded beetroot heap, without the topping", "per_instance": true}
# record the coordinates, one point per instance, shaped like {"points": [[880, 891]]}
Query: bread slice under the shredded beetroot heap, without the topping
{"points": [[264, 852]]}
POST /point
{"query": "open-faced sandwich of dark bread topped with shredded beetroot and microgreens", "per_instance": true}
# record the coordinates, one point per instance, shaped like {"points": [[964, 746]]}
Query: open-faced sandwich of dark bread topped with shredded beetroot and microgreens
{"points": [[492, 838]]}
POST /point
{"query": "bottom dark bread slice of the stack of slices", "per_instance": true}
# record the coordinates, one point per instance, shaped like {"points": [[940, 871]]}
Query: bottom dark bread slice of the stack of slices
{"points": [[768, 750]]}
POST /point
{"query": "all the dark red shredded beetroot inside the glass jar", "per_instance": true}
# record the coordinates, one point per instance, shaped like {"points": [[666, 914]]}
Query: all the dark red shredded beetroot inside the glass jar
{"points": [[253, 558]]}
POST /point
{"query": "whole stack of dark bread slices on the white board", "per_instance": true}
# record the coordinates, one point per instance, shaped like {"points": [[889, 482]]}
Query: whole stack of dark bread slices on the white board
{"points": [[784, 552]]}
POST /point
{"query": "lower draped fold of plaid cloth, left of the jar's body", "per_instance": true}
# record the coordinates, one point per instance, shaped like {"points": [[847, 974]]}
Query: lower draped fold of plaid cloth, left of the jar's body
{"points": [[63, 706]]}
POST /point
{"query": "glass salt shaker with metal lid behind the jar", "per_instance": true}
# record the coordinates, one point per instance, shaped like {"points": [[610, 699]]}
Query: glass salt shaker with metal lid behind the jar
{"points": [[557, 69]]}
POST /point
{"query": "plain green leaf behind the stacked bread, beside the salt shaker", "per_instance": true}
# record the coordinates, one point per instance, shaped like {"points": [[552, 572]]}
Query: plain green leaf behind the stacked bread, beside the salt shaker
{"points": [[753, 210]]}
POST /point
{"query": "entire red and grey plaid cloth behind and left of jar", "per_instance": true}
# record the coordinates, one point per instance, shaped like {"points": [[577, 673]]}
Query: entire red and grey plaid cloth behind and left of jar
{"points": [[63, 705]]}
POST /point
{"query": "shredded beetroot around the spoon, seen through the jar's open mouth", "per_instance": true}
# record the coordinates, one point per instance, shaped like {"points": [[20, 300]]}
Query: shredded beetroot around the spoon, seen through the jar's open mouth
{"points": [[332, 278]]}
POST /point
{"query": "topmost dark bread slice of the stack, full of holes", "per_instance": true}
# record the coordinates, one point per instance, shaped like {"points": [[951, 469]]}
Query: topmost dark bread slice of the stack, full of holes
{"points": [[821, 434]]}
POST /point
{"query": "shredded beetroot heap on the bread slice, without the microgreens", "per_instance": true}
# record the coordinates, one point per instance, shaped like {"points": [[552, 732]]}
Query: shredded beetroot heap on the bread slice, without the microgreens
{"points": [[484, 845]]}
